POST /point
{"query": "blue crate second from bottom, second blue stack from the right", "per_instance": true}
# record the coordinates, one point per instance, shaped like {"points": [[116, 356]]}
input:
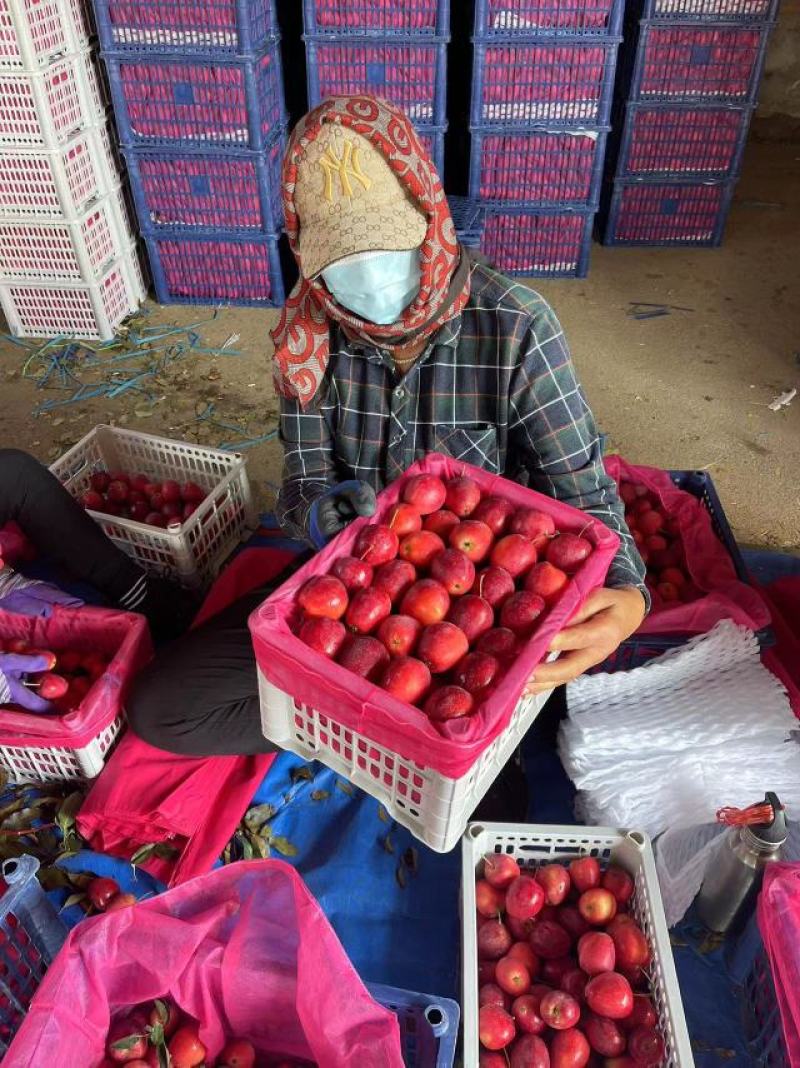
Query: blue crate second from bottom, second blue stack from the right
{"points": [[538, 167]]}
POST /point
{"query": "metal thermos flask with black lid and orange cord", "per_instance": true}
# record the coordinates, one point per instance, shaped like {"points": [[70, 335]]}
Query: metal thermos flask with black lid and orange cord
{"points": [[736, 869]]}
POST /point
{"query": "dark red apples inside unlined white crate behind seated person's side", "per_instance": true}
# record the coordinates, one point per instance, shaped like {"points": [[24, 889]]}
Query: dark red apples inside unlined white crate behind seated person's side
{"points": [[139, 498]]}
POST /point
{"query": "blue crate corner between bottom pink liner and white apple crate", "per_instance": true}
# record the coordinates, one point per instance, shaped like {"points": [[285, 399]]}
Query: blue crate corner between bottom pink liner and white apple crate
{"points": [[429, 1026]]}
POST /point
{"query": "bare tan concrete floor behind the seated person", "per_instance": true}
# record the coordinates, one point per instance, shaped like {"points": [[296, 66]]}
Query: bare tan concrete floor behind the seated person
{"points": [[687, 390]]}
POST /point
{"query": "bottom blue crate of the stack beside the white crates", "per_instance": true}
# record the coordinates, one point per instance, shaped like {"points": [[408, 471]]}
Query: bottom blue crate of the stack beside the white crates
{"points": [[216, 269]]}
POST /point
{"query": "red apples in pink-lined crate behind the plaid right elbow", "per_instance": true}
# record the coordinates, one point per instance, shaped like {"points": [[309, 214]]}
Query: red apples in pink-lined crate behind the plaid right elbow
{"points": [[658, 540]]}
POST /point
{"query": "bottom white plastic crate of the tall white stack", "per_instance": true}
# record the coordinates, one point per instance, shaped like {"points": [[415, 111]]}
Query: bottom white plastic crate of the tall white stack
{"points": [[89, 310]]}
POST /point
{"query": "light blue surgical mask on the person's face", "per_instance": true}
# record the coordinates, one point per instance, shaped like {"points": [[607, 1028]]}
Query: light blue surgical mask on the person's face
{"points": [[378, 287]]}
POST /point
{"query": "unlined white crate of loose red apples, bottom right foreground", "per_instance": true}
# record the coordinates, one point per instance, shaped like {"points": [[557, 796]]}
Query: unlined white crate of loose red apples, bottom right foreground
{"points": [[568, 955]]}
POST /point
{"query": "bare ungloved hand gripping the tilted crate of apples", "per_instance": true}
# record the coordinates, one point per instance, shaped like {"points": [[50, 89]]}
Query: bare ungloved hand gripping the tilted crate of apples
{"points": [[607, 619]]}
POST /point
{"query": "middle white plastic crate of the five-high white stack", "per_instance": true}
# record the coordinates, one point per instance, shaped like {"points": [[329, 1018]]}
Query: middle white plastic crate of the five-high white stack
{"points": [[61, 183]]}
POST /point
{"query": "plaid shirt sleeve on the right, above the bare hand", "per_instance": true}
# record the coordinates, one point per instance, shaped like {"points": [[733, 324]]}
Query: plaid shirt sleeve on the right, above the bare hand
{"points": [[554, 437]]}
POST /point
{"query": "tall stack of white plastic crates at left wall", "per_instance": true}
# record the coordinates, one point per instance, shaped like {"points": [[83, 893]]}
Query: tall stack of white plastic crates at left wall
{"points": [[68, 258]]}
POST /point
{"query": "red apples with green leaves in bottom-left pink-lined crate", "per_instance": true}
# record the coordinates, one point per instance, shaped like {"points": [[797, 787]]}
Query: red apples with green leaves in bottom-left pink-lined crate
{"points": [[159, 1034]]}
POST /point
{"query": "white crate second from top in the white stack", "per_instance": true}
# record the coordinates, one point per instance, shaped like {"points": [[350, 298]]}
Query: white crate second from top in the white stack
{"points": [[43, 109]]}
